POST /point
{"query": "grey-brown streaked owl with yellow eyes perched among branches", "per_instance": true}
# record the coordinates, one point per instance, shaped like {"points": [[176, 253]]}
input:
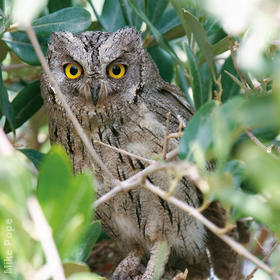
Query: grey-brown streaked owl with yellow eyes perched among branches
{"points": [[116, 93]]}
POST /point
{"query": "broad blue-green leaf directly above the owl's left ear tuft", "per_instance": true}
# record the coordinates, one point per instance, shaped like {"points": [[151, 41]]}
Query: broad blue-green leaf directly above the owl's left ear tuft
{"points": [[69, 19]]}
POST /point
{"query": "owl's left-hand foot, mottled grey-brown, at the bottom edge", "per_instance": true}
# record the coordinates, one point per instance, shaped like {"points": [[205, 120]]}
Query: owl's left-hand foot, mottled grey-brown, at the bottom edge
{"points": [[128, 267]]}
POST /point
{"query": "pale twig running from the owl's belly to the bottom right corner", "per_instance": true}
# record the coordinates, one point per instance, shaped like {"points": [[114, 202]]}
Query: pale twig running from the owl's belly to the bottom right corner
{"points": [[194, 213]]}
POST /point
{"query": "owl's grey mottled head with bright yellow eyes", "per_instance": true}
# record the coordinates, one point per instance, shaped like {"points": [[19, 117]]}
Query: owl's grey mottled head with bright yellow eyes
{"points": [[95, 67]]}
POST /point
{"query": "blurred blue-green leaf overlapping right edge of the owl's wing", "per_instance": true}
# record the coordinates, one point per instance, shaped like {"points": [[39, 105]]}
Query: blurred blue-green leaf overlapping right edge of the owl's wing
{"points": [[198, 130]]}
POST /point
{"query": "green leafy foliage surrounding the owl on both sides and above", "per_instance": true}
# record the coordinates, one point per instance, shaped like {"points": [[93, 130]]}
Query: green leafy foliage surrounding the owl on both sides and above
{"points": [[224, 55]]}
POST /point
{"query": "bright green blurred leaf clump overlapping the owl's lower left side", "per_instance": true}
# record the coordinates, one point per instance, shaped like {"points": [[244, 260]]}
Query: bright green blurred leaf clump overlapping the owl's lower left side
{"points": [[65, 199]]}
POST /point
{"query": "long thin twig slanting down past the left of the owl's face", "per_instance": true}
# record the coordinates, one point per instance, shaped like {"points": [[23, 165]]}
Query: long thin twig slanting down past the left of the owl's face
{"points": [[33, 39]]}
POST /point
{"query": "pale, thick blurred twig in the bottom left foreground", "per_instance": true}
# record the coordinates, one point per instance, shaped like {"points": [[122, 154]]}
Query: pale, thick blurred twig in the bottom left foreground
{"points": [[44, 235]]}
